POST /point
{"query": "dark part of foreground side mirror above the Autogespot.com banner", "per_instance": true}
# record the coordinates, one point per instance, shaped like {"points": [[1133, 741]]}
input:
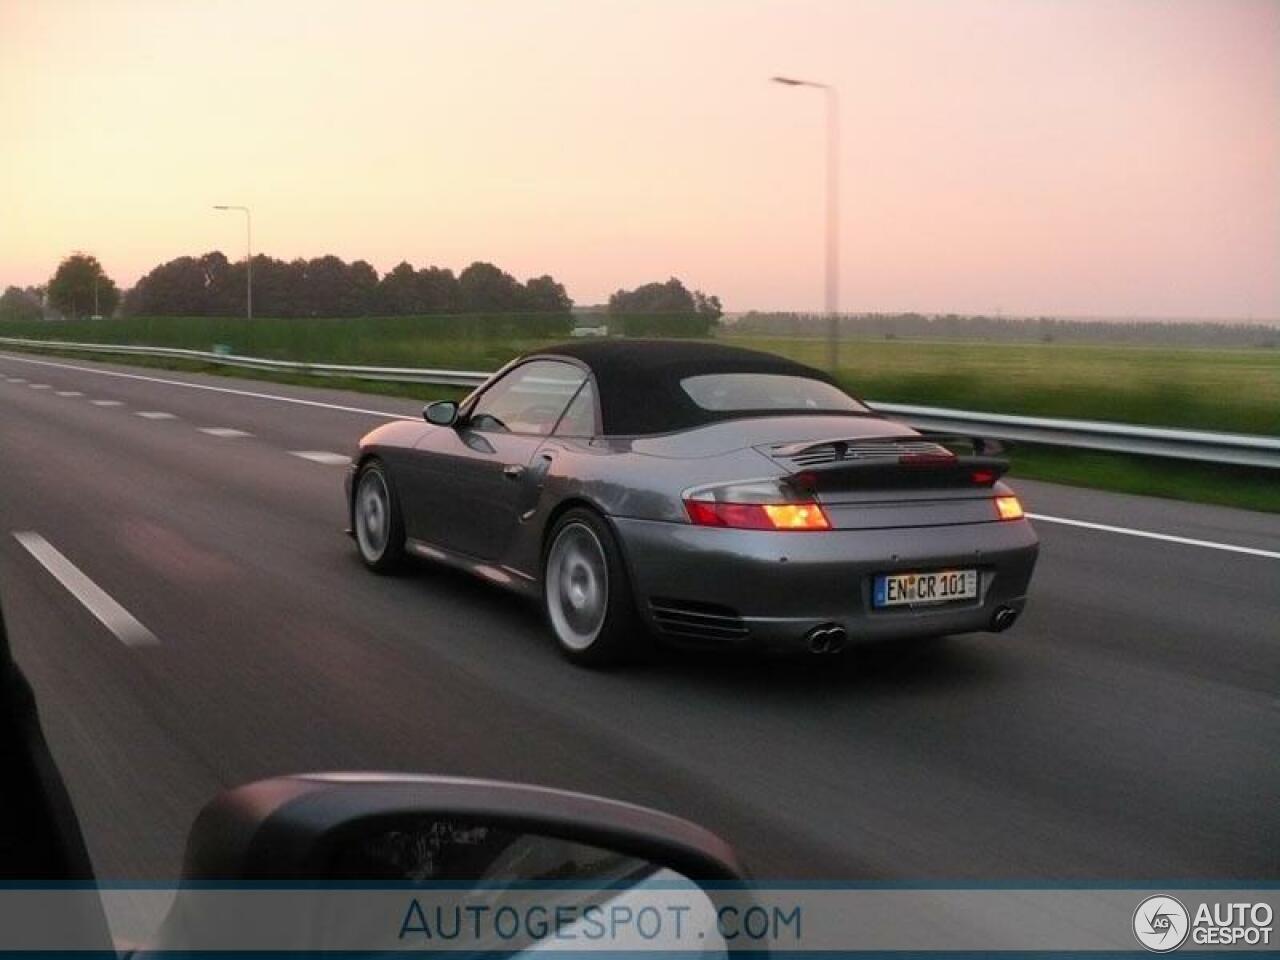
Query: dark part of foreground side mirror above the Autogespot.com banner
{"points": [[323, 828]]}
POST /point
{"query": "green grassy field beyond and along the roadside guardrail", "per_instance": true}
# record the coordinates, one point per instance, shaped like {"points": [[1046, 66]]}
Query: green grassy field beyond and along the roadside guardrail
{"points": [[1213, 390]]}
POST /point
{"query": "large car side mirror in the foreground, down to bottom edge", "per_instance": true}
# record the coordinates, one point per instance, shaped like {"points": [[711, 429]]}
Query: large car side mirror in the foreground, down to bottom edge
{"points": [[377, 862]]}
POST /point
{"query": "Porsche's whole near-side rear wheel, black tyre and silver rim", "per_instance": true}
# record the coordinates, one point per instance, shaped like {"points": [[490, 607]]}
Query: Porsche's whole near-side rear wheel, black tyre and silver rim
{"points": [[587, 595]]}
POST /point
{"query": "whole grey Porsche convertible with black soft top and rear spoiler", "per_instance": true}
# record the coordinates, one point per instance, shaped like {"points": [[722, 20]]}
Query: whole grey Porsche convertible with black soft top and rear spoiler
{"points": [[697, 493]]}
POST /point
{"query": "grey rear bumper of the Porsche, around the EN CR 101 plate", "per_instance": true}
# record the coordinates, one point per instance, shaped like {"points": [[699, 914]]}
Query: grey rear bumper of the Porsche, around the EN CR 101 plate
{"points": [[710, 587]]}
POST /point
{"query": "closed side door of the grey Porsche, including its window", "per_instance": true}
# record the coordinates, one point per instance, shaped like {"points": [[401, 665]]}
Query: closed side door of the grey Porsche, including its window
{"points": [[483, 476]]}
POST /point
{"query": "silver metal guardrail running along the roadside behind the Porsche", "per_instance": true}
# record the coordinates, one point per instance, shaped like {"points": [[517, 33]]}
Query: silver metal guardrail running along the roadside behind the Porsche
{"points": [[1238, 450]]}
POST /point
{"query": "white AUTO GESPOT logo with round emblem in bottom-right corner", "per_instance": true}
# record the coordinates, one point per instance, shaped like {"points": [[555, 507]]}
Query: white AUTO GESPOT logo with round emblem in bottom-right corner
{"points": [[1163, 924]]}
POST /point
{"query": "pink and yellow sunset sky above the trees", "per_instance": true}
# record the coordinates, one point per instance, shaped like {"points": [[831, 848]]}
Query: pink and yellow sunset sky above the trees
{"points": [[1113, 158]]}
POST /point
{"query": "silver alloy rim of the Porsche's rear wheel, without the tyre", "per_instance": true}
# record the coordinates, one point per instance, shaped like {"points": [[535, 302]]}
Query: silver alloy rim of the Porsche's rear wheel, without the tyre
{"points": [[577, 586]]}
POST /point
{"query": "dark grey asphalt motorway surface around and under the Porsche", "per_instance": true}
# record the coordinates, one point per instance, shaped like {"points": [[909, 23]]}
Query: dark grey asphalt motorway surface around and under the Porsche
{"points": [[1126, 730]]}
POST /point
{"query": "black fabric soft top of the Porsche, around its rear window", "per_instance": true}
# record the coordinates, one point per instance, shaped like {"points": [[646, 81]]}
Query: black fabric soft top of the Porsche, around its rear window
{"points": [[639, 381]]}
